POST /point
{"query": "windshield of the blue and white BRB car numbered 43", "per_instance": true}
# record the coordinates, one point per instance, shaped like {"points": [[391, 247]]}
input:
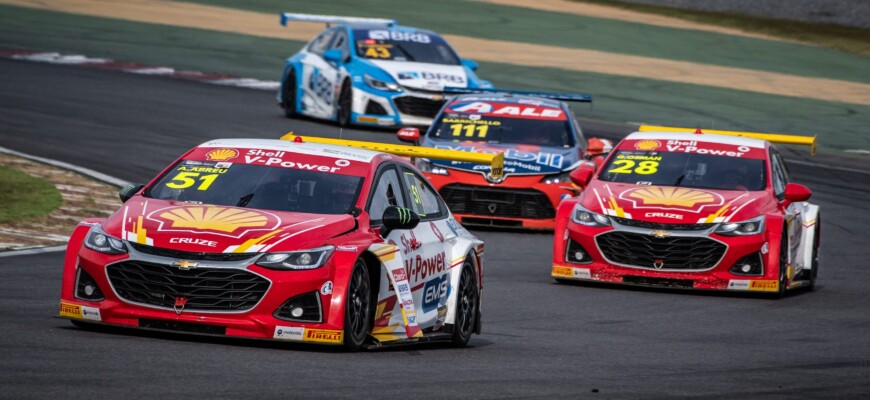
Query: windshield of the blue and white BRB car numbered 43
{"points": [[395, 45]]}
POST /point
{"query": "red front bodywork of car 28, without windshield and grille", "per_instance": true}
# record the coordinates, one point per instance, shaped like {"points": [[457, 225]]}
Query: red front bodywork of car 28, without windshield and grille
{"points": [[652, 209]]}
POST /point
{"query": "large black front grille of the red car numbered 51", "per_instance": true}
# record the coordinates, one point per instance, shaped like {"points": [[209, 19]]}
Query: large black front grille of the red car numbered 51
{"points": [[206, 289]]}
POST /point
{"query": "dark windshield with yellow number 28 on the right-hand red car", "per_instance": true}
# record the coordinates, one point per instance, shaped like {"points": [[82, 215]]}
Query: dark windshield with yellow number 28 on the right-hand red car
{"points": [[685, 169]]}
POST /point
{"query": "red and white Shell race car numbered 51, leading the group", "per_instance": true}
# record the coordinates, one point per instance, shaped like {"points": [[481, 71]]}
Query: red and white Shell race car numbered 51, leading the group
{"points": [[276, 239]]}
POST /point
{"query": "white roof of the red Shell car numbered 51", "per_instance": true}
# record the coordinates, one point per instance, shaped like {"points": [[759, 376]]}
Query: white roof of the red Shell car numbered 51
{"points": [[314, 149]]}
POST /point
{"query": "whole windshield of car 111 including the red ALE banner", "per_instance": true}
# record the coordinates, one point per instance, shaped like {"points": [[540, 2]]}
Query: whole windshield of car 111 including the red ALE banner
{"points": [[491, 126]]}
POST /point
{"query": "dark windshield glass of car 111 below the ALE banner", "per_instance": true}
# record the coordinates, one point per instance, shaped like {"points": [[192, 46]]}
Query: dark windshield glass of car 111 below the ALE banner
{"points": [[503, 130]]}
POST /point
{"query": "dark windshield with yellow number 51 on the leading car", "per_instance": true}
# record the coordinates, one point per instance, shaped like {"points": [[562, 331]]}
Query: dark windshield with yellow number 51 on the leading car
{"points": [[257, 186]]}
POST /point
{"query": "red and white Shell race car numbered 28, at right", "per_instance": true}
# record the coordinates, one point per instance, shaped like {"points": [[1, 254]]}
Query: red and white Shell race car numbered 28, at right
{"points": [[690, 210]]}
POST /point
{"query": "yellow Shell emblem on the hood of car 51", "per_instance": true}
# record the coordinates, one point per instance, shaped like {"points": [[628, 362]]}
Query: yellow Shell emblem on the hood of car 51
{"points": [[219, 219]]}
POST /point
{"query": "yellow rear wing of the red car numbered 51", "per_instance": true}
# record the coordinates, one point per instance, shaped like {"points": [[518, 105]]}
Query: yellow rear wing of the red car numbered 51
{"points": [[495, 161]]}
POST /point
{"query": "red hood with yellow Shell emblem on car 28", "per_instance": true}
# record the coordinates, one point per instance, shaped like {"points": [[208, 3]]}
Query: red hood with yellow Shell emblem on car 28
{"points": [[673, 205]]}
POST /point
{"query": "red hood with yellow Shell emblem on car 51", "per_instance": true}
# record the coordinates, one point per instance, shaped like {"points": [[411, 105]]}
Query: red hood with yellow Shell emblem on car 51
{"points": [[221, 229]]}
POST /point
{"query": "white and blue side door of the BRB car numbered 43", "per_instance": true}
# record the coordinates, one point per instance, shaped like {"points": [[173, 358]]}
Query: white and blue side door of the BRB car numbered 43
{"points": [[319, 77]]}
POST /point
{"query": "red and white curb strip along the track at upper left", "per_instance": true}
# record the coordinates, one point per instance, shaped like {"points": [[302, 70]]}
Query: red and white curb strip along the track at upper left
{"points": [[136, 68]]}
